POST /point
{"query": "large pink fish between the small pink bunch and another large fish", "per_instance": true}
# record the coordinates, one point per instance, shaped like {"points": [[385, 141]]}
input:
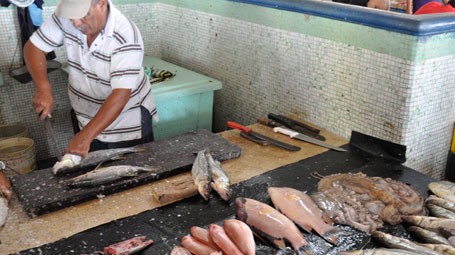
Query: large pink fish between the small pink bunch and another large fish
{"points": [[268, 223]]}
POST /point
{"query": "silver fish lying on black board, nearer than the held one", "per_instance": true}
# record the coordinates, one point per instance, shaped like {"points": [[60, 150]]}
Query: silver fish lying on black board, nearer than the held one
{"points": [[107, 175]]}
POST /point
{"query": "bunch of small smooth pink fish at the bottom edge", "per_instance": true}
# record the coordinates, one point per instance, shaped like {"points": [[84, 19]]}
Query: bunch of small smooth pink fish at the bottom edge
{"points": [[233, 238]]}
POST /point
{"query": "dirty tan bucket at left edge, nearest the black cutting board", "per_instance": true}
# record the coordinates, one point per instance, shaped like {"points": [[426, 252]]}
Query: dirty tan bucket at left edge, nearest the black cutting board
{"points": [[18, 153]]}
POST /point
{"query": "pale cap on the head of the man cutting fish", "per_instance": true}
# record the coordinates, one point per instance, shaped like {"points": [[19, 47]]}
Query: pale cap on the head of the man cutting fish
{"points": [[72, 9]]}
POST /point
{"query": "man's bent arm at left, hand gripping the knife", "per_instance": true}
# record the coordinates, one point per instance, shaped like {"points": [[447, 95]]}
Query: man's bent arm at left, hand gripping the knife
{"points": [[35, 59]]}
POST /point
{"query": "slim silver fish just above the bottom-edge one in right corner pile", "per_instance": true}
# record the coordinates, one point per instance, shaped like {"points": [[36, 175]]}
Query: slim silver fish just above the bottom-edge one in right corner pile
{"points": [[391, 241]]}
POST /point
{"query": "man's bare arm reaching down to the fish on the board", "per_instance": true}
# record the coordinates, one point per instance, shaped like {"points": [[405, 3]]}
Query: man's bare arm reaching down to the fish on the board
{"points": [[109, 111]]}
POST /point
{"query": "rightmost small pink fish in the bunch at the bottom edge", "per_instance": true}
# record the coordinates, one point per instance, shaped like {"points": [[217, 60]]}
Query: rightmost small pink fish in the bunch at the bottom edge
{"points": [[241, 234]]}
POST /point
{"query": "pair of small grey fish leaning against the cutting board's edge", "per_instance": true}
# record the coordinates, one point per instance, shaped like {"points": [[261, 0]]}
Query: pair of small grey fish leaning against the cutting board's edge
{"points": [[208, 174]]}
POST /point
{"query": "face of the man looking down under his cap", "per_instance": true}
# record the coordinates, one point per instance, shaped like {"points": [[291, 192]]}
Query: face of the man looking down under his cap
{"points": [[93, 22]]}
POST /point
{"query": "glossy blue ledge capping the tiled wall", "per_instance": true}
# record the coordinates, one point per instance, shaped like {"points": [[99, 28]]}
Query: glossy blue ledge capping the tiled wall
{"points": [[417, 25]]}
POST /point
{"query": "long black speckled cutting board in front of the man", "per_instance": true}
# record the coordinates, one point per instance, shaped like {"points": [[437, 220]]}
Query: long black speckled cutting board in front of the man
{"points": [[42, 192]]}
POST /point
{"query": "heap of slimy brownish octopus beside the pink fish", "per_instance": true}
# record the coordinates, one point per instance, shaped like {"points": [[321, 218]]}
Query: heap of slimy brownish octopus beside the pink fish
{"points": [[365, 203]]}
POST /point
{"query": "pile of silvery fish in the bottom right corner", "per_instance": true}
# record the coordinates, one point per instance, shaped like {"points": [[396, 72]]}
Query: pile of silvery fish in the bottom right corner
{"points": [[435, 233]]}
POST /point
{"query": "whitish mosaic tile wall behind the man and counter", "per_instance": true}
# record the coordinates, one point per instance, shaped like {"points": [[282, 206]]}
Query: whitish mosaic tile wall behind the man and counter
{"points": [[336, 85]]}
